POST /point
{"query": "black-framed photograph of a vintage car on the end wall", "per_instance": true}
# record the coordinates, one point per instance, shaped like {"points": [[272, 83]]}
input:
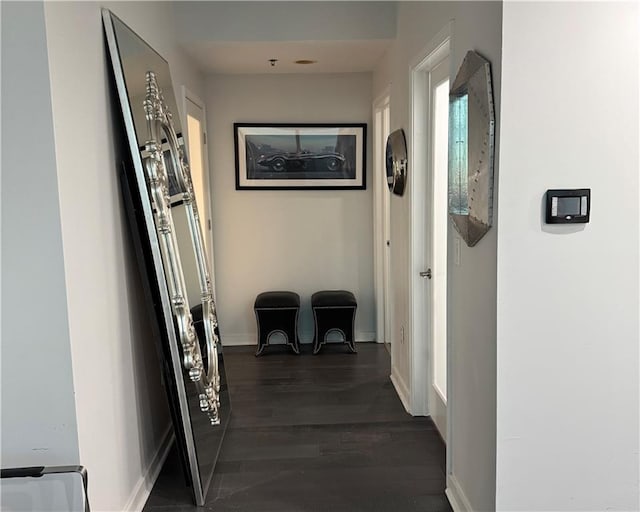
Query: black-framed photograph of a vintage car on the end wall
{"points": [[300, 156]]}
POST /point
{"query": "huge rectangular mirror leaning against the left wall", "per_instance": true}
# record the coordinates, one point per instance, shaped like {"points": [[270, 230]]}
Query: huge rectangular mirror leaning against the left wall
{"points": [[161, 204]]}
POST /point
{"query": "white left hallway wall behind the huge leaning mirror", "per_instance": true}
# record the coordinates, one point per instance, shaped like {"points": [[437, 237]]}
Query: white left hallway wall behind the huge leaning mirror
{"points": [[123, 417]]}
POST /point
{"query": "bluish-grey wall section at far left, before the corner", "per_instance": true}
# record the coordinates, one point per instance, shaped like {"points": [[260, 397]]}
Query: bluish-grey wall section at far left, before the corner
{"points": [[38, 409]]}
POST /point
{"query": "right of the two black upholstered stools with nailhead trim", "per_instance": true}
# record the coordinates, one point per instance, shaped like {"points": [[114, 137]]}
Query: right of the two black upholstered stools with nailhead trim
{"points": [[333, 310]]}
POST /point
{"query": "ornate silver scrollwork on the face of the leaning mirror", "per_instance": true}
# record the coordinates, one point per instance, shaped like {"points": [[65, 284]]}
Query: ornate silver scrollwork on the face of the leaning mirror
{"points": [[160, 125]]}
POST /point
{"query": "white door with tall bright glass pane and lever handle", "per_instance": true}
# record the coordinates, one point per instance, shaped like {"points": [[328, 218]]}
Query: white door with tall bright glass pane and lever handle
{"points": [[437, 196]]}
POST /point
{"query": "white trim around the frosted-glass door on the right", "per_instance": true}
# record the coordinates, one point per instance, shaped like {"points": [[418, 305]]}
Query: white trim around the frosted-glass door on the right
{"points": [[420, 176]]}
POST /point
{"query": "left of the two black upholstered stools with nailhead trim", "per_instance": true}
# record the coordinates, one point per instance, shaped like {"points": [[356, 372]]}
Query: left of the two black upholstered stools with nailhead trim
{"points": [[277, 312]]}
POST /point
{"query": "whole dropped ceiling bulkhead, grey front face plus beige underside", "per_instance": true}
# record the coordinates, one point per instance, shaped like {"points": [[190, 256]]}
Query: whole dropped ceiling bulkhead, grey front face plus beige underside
{"points": [[239, 37]]}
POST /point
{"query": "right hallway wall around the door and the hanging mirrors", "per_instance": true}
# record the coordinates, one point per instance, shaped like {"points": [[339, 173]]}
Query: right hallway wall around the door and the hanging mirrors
{"points": [[472, 284]]}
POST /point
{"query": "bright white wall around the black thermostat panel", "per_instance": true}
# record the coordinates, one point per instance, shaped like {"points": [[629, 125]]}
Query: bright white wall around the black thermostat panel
{"points": [[567, 391]]}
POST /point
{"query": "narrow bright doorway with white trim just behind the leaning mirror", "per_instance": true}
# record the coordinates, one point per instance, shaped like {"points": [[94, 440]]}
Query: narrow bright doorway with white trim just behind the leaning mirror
{"points": [[196, 139]]}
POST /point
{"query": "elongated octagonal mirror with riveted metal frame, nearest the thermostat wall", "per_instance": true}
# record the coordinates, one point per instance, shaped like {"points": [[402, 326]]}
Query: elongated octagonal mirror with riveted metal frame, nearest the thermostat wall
{"points": [[471, 148]]}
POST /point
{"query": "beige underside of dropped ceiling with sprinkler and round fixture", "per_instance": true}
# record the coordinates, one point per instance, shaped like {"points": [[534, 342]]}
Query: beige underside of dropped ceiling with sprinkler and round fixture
{"points": [[252, 57]]}
